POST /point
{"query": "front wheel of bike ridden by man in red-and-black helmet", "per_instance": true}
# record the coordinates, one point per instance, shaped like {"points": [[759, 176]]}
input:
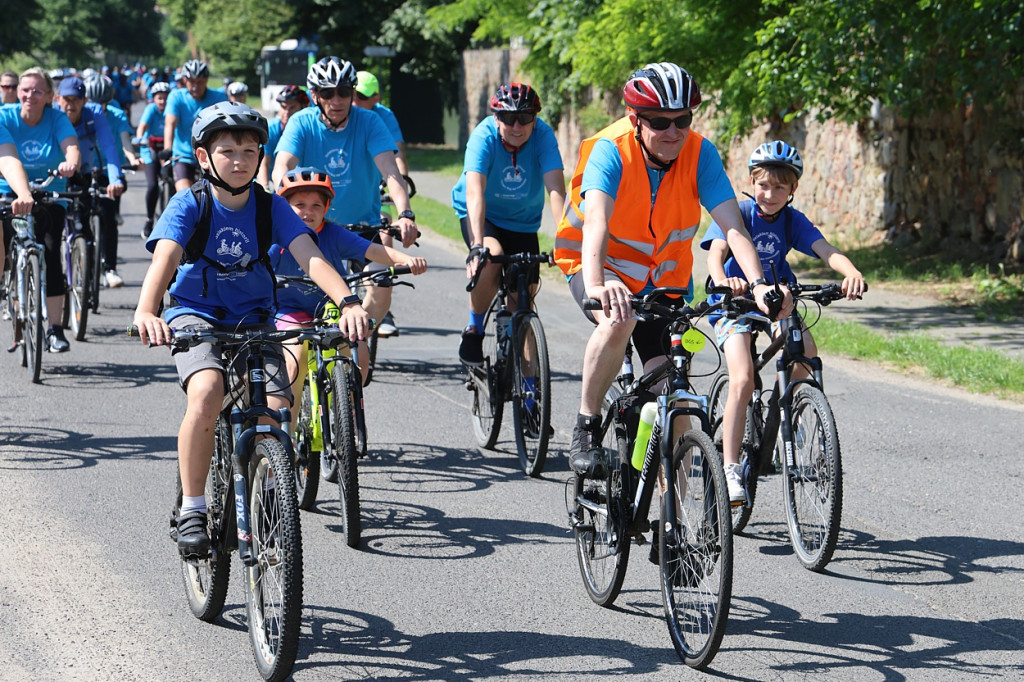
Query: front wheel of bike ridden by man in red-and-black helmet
{"points": [[533, 423]]}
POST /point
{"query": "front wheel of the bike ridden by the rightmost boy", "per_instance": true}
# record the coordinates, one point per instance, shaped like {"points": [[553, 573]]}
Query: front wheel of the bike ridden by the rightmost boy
{"points": [[814, 488]]}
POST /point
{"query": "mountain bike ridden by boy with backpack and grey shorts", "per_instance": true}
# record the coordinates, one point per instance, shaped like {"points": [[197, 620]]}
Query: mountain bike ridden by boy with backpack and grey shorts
{"points": [[250, 474]]}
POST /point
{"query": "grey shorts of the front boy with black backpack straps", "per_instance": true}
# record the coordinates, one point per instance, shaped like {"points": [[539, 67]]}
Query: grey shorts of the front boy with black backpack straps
{"points": [[208, 357]]}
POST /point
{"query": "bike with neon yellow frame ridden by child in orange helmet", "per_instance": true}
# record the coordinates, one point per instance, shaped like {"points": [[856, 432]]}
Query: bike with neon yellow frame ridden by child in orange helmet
{"points": [[331, 430]]}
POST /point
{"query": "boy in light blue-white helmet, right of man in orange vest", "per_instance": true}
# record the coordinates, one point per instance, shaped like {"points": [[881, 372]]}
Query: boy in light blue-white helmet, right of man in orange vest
{"points": [[776, 229]]}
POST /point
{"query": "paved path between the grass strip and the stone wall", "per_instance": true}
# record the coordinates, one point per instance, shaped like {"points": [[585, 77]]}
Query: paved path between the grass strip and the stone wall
{"points": [[881, 310]]}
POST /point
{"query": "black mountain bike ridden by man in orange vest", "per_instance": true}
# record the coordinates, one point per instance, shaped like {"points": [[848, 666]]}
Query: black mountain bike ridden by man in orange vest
{"points": [[695, 538]]}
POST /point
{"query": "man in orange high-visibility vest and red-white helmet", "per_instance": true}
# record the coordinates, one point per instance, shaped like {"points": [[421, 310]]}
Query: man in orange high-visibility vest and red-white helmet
{"points": [[633, 212]]}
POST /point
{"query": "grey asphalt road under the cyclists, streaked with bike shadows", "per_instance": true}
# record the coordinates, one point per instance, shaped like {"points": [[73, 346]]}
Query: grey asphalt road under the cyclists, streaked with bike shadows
{"points": [[467, 570]]}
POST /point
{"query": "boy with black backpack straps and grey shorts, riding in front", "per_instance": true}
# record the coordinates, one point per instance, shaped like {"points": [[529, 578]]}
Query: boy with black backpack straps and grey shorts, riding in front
{"points": [[227, 288]]}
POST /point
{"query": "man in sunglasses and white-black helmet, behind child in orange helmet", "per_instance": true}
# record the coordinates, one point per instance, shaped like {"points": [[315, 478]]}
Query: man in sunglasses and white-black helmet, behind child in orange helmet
{"points": [[356, 149]]}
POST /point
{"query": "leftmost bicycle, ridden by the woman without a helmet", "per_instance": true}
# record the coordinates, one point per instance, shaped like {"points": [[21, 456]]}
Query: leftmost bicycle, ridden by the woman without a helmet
{"points": [[25, 281]]}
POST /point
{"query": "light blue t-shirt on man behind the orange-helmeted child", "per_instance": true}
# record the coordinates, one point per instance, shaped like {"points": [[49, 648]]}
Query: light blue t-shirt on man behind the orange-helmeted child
{"points": [[347, 155]]}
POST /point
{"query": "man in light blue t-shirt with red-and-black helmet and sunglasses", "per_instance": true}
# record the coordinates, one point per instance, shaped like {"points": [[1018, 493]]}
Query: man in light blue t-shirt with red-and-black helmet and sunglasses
{"points": [[513, 161]]}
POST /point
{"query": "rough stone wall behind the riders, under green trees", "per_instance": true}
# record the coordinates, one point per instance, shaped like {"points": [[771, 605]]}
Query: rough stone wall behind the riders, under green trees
{"points": [[953, 182]]}
